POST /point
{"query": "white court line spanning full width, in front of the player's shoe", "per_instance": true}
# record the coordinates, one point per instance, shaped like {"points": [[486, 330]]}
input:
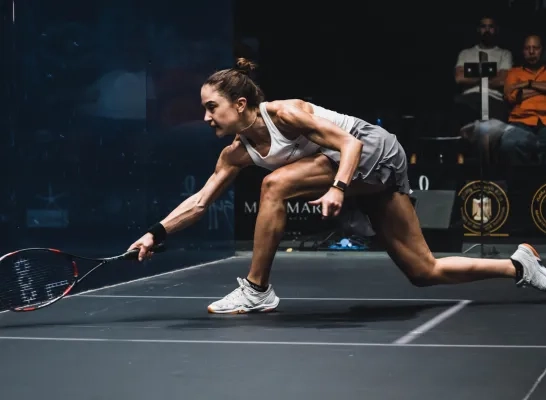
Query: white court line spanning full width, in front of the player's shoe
{"points": [[271, 343]]}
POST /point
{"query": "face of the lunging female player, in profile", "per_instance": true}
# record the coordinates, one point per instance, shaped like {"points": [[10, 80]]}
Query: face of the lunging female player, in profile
{"points": [[220, 113]]}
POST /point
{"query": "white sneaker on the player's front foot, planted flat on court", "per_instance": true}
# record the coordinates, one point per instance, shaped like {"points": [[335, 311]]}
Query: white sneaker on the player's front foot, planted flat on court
{"points": [[245, 299]]}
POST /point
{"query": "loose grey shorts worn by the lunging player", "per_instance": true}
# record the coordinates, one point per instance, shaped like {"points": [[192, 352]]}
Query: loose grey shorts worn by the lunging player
{"points": [[383, 160]]}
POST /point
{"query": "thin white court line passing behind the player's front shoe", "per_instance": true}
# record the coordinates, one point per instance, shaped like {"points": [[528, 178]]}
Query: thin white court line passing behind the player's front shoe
{"points": [[122, 296]]}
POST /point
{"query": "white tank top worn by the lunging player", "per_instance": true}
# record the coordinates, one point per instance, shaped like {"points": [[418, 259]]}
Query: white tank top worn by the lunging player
{"points": [[284, 151]]}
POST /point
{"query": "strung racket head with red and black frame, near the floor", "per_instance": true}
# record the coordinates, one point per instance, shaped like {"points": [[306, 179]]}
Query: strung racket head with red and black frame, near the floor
{"points": [[35, 278]]}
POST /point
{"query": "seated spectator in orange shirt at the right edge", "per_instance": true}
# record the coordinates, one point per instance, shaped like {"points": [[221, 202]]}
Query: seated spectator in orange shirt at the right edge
{"points": [[525, 91]]}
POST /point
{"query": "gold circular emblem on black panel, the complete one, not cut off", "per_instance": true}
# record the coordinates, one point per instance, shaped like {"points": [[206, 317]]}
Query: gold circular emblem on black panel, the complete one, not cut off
{"points": [[492, 205]]}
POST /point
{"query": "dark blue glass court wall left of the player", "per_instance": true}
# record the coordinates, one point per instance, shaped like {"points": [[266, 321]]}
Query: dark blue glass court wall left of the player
{"points": [[102, 128]]}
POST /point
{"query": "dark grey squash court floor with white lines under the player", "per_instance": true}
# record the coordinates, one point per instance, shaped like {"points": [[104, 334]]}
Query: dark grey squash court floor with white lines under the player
{"points": [[348, 327]]}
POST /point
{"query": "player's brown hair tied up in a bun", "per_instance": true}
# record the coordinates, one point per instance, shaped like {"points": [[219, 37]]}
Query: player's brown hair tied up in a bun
{"points": [[236, 82]]}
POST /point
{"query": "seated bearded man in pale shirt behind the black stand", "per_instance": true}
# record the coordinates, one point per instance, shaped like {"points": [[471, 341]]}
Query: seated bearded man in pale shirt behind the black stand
{"points": [[468, 102]]}
